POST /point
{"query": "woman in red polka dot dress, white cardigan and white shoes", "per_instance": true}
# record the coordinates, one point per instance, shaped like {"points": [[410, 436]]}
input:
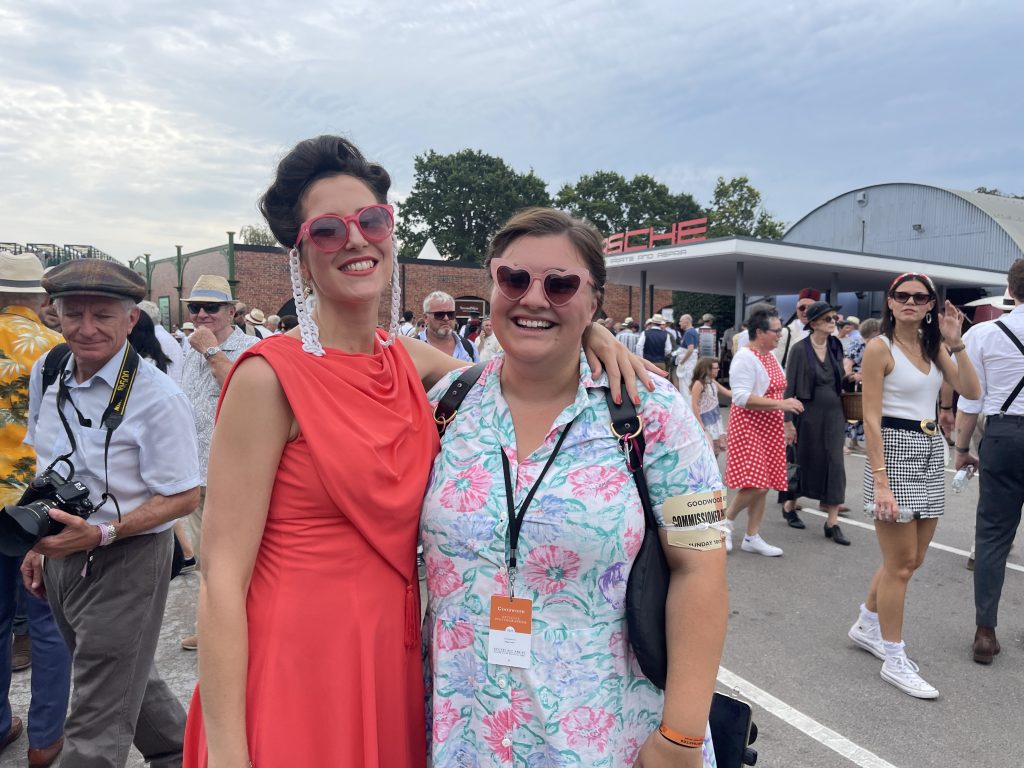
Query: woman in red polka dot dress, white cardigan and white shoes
{"points": [[757, 438]]}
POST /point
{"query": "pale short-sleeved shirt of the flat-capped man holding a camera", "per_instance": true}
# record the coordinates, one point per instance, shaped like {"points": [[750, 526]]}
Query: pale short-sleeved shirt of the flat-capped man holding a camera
{"points": [[153, 452]]}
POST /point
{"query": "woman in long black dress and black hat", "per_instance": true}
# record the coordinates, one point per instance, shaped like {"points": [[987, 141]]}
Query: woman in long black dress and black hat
{"points": [[815, 376]]}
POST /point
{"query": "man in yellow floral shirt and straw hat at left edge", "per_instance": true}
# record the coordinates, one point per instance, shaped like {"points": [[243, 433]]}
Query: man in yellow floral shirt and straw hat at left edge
{"points": [[24, 339]]}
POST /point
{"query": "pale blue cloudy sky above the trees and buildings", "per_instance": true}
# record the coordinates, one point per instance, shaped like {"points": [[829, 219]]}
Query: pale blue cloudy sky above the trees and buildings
{"points": [[138, 126]]}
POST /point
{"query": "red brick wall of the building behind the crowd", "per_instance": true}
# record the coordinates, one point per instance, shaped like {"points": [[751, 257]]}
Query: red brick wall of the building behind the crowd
{"points": [[262, 275]]}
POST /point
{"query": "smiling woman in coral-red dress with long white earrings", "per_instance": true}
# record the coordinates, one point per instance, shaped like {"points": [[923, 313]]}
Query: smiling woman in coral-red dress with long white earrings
{"points": [[310, 609]]}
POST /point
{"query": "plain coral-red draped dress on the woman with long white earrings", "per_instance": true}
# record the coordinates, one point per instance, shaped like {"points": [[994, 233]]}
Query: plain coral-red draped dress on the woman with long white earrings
{"points": [[335, 671]]}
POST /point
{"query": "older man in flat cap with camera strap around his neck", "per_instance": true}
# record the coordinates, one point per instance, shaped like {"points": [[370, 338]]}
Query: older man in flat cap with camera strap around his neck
{"points": [[118, 420]]}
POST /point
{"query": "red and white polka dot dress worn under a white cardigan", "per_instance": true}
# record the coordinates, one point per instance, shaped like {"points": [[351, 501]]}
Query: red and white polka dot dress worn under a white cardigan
{"points": [[756, 456]]}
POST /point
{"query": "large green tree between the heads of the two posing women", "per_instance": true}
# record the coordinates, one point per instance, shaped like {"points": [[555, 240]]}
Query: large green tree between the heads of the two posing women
{"points": [[461, 200]]}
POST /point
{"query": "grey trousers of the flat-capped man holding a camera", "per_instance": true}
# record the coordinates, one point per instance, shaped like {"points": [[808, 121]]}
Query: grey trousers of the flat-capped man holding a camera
{"points": [[111, 621]]}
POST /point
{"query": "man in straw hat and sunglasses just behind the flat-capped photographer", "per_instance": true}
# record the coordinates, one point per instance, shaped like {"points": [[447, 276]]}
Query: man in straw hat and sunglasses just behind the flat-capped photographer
{"points": [[214, 348]]}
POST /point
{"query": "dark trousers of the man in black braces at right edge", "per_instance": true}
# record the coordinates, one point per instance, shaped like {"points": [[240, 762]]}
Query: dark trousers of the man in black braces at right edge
{"points": [[1000, 501]]}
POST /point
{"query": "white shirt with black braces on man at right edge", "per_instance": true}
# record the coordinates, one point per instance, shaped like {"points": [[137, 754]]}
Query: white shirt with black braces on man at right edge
{"points": [[999, 363]]}
